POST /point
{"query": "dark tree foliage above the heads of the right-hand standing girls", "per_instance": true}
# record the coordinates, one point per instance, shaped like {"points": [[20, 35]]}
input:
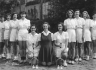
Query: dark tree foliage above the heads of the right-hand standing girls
{"points": [[60, 7]]}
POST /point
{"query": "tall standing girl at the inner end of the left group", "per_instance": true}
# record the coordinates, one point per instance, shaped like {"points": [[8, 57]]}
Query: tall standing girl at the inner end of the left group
{"points": [[23, 26]]}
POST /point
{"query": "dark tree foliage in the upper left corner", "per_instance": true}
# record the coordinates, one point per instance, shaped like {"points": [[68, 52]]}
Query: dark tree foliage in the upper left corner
{"points": [[6, 6]]}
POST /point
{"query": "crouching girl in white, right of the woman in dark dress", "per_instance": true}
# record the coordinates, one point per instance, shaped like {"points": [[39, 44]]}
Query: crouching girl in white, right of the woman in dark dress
{"points": [[61, 42]]}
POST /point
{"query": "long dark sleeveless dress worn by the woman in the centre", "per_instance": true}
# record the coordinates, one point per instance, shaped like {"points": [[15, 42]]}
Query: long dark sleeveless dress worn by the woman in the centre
{"points": [[46, 53]]}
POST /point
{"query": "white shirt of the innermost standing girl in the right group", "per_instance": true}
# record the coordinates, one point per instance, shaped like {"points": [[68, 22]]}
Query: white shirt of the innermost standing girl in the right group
{"points": [[70, 24]]}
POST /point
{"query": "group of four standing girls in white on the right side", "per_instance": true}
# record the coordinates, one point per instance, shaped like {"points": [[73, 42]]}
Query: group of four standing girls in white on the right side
{"points": [[81, 30]]}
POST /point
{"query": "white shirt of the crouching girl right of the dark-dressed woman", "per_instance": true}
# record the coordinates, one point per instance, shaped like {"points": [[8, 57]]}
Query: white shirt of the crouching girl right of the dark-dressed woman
{"points": [[60, 38]]}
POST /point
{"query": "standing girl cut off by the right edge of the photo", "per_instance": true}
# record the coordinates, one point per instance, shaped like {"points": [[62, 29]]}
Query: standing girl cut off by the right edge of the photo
{"points": [[93, 31]]}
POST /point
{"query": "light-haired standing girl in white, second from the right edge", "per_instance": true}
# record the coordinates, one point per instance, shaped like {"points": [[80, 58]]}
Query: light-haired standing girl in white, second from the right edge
{"points": [[87, 34]]}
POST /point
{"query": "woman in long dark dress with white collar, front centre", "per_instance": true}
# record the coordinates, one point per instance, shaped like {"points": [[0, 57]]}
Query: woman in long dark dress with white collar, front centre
{"points": [[46, 54]]}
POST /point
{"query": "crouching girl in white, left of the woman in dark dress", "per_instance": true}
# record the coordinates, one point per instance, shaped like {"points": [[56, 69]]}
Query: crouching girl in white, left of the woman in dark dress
{"points": [[33, 45]]}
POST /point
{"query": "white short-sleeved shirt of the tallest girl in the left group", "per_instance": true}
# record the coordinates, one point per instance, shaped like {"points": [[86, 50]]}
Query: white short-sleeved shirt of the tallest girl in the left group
{"points": [[23, 25]]}
